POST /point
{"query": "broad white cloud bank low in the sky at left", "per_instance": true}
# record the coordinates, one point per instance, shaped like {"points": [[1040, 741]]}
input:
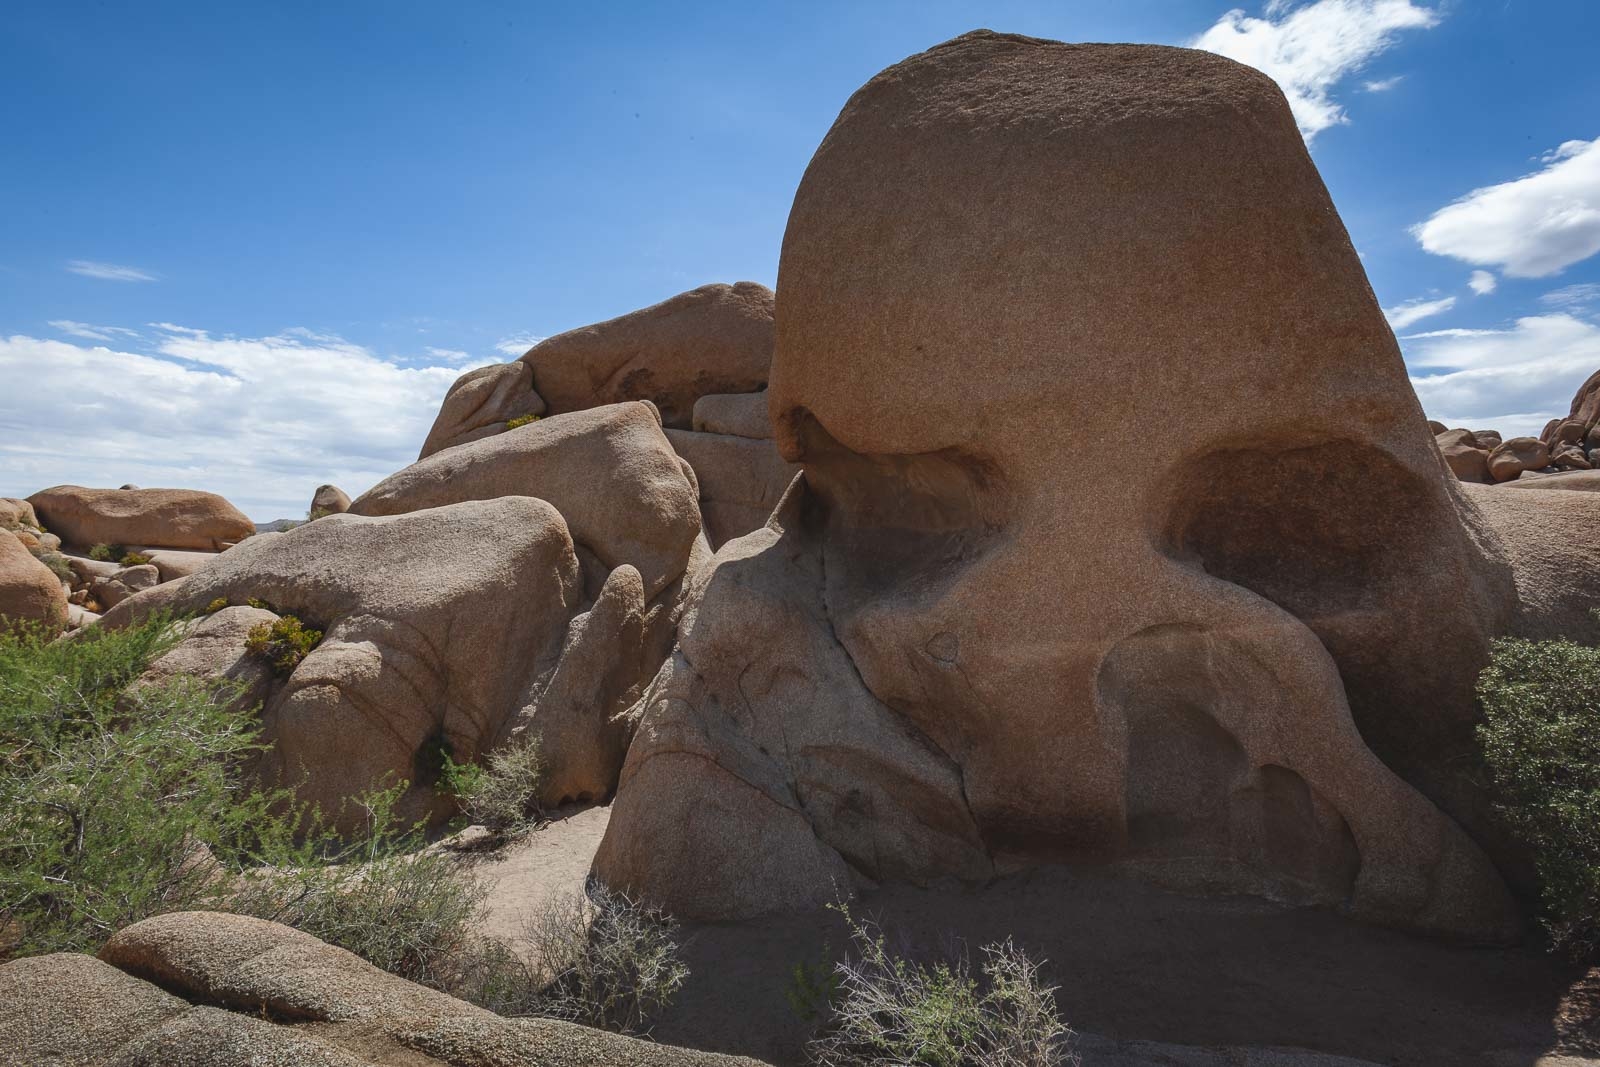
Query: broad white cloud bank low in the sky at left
{"points": [[263, 422]]}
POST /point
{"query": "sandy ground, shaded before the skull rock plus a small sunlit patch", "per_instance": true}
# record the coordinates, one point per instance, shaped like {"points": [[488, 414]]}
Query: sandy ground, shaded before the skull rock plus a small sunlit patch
{"points": [[1134, 964]]}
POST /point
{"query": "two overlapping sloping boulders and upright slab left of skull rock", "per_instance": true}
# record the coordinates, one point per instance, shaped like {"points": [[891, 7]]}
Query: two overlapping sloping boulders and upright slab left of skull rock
{"points": [[460, 612]]}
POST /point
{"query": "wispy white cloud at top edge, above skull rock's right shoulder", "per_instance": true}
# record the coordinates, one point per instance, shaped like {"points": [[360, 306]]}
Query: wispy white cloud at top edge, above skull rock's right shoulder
{"points": [[1311, 50]]}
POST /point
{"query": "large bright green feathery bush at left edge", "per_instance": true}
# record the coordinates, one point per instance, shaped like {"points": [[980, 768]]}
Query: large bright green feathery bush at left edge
{"points": [[119, 804]]}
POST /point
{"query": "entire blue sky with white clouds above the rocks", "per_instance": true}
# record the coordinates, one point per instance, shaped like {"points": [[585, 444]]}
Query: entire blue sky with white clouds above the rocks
{"points": [[247, 247]]}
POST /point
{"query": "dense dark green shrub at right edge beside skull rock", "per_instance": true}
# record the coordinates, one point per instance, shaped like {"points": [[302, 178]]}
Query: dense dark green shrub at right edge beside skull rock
{"points": [[1542, 745]]}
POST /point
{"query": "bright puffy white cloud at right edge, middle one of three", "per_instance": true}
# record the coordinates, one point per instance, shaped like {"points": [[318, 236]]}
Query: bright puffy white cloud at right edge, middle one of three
{"points": [[1530, 228]]}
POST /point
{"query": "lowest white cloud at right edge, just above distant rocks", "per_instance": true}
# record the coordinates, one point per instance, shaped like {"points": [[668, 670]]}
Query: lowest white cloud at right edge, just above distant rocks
{"points": [[1513, 380]]}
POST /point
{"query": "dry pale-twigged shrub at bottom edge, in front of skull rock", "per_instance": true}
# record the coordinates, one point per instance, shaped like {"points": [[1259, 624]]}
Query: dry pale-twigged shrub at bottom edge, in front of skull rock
{"points": [[890, 1012]]}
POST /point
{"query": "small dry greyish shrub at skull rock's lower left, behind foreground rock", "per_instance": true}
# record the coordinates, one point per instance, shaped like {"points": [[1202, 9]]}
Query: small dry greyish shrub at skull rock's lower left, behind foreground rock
{"points": [[602, 959]]}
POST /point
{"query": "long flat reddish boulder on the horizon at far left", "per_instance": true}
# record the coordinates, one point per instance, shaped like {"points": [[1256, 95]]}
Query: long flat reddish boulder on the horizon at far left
{"points": [[169, 519]]}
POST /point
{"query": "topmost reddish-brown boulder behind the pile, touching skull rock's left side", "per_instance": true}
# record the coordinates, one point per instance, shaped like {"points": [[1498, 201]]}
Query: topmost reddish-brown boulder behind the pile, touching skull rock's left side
{"points": [[713, 340]]}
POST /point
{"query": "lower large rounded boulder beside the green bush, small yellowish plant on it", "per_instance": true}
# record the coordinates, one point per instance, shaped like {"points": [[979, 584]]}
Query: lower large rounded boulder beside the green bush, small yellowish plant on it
{"points": [[420, 649]]}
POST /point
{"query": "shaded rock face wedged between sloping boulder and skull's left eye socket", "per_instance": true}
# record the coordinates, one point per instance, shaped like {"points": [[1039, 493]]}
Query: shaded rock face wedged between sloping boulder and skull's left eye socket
{"points": [[740, 481]]}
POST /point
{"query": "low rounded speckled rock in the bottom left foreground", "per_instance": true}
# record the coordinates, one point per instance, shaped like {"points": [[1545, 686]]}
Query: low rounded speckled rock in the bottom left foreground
{"points": [[255, 994]]}
